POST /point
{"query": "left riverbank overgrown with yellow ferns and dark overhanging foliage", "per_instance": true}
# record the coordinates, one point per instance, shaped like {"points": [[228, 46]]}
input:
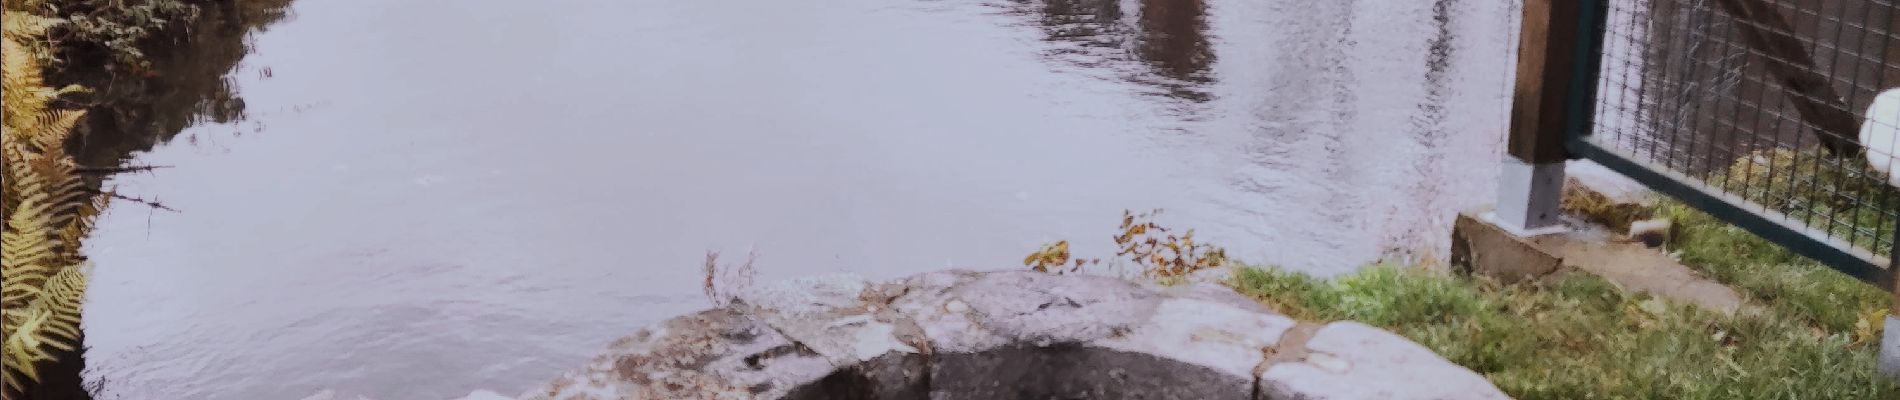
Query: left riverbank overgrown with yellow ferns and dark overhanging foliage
{"points": [[128, 75]]}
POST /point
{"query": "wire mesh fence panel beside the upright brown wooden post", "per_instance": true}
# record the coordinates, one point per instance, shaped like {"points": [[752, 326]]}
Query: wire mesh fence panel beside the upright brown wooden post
{"points": [[1760, 109]]}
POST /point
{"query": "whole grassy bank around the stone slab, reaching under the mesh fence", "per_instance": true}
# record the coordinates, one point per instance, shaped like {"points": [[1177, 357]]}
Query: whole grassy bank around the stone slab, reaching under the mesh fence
{"points": [[1812, 333]]}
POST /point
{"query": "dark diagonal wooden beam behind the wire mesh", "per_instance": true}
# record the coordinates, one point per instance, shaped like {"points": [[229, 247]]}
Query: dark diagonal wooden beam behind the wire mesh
{"points": [[1793, 67]]}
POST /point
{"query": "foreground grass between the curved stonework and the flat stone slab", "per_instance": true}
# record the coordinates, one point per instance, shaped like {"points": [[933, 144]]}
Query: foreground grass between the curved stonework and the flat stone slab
{"points": [[1582, 338]]}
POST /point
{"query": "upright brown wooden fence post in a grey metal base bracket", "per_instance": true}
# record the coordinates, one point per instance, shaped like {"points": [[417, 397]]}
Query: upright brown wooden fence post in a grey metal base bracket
{"points": [[1532, 181]]}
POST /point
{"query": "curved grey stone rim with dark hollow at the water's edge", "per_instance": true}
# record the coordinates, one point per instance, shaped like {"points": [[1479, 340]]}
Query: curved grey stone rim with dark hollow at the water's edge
{"points": [[1008, 335]]}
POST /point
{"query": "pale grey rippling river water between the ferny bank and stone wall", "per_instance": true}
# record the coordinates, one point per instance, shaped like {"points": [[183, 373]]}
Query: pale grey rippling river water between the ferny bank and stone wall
{"points": [[430, 196]]}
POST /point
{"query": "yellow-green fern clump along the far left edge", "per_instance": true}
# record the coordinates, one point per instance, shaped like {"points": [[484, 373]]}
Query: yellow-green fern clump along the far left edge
{"points": [[47, 206]]}
